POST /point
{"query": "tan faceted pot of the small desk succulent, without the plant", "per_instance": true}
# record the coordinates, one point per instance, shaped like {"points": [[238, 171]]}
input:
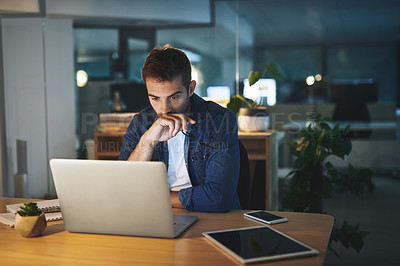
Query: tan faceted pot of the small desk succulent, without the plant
{"points": [[30, 226]]}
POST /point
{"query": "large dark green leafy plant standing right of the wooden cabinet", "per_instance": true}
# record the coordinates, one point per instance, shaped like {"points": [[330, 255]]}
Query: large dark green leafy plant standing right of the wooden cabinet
{"points": [[313, 178]]}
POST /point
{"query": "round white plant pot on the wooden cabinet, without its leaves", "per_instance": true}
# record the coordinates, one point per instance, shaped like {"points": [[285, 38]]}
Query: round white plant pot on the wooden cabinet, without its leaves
{"points": [[253, 120]]}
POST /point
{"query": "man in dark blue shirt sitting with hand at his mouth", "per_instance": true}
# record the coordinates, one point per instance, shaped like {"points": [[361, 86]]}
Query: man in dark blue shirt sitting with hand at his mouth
{"points": [[196, 139]]}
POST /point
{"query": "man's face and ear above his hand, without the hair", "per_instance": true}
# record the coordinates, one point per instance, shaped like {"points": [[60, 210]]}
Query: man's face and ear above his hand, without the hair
{"points": [[169, 96]]}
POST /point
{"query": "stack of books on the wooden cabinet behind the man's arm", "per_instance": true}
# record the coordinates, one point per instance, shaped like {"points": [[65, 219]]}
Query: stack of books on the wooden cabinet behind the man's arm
{"points": [[114, 122]]}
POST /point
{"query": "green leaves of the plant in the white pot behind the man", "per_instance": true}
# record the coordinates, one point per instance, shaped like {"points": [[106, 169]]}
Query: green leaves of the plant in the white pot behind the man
{"points": [[238, 101]]}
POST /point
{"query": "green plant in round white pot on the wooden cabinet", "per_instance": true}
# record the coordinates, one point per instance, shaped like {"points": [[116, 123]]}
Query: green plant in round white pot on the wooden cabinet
{"points": [[251, 115]]}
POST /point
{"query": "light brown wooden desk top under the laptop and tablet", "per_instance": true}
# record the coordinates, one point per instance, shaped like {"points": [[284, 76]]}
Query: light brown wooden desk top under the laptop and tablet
{"points": [[59, 247]]}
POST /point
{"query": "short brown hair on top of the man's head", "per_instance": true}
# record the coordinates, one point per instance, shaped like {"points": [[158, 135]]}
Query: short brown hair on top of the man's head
{"points": [[166, 64]]}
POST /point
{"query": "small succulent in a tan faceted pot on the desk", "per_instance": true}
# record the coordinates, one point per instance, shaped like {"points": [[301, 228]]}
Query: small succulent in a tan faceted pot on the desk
{"points": [[30, 221]]}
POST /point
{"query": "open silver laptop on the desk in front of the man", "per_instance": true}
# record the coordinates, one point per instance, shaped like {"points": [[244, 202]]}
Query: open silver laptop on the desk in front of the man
{"points": [[117, 198]]}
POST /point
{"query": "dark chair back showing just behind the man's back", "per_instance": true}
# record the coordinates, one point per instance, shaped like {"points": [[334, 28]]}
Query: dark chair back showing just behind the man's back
{"points": [[243, 188]]}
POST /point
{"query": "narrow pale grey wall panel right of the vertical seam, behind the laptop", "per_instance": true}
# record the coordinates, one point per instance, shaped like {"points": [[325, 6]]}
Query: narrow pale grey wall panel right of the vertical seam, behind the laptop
{"points": [[60, 87]]}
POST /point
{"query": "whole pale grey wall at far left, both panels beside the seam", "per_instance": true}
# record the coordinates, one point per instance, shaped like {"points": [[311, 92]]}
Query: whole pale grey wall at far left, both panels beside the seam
{"points": [[39, 93]]}
